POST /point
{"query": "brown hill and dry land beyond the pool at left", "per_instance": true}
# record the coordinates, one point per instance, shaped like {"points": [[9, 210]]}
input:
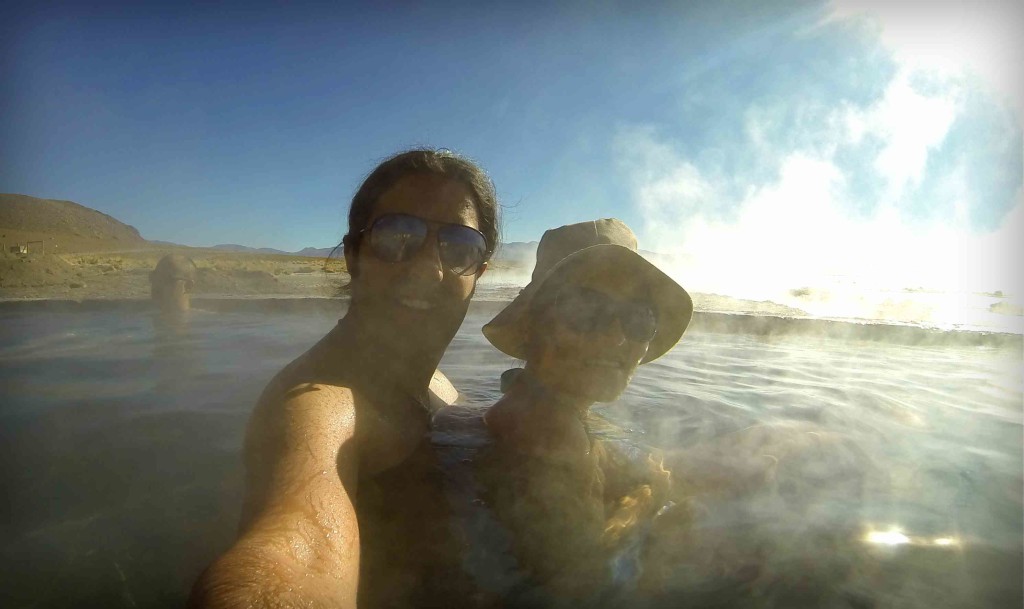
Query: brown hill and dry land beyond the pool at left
{"points": [[73, 252]]}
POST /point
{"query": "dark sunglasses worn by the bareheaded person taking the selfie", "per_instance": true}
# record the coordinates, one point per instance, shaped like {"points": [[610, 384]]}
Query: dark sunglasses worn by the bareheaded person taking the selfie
{"points": [[397, 238]]}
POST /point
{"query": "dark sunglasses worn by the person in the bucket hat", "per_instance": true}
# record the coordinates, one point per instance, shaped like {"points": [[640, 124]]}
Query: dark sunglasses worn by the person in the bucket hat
{"points": [[585, 311]]}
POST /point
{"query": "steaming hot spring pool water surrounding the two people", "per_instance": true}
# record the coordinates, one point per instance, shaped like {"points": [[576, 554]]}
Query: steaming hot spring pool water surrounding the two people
{"points": [[122, 437]]}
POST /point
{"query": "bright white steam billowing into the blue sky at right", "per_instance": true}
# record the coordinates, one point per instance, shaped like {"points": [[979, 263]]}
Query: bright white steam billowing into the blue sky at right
{"points": [[877, 209]]}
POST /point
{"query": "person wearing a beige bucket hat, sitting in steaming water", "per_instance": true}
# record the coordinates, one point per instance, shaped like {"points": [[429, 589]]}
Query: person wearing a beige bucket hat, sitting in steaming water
{"points": [[593, 312]]}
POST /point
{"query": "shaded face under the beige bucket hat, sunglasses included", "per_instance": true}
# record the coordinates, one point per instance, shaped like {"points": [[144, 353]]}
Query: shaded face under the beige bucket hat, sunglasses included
{"points": [[589, 340]]}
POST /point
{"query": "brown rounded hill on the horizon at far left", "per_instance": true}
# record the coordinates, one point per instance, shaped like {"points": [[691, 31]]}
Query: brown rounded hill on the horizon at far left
{"points": [[24, 214]]}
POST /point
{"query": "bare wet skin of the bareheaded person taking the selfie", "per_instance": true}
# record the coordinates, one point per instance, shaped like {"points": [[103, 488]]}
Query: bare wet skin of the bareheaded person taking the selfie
{"points": [[353, 408]]}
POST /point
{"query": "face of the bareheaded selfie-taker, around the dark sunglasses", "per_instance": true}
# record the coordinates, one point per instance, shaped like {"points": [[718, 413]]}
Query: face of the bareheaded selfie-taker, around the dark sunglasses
{"points": [[417, 295]]}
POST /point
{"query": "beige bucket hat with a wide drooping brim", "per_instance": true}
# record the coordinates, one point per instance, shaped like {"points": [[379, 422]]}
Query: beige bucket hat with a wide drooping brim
{"points": [[569, 251]]}
